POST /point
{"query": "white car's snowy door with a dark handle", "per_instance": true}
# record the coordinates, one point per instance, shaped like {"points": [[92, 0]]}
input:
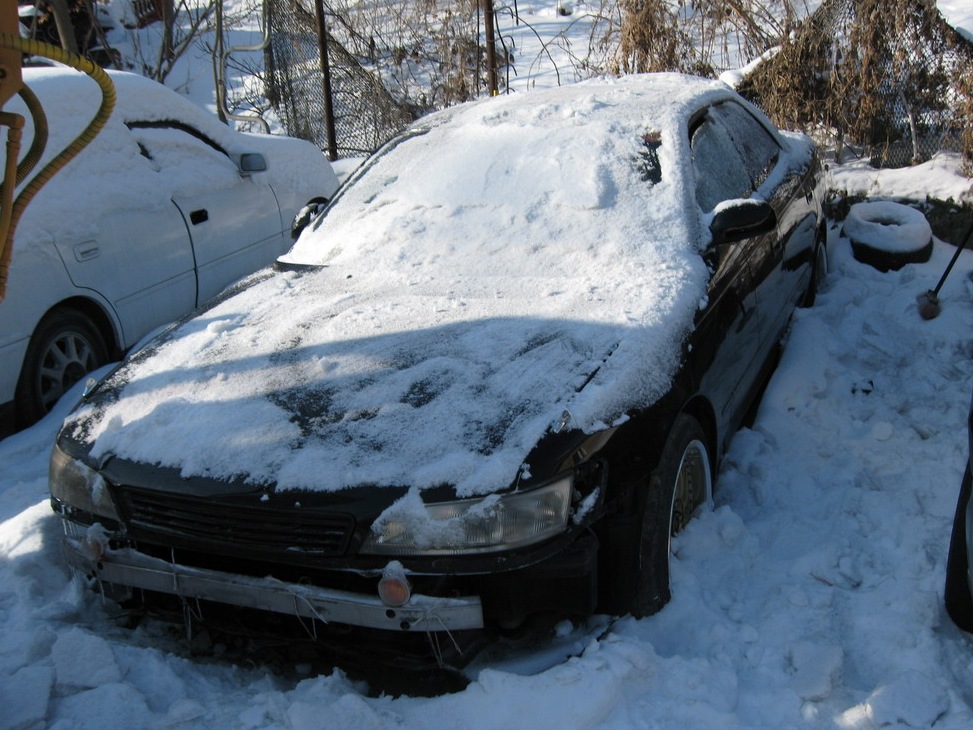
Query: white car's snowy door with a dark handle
{"points": [[233, 220]]}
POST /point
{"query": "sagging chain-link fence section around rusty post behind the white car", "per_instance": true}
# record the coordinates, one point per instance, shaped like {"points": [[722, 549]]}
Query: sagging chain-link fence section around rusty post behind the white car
{"points": [[365, 114]]}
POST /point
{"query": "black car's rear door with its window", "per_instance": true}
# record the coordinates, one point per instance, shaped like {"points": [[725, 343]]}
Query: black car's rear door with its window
{"points": [[782, 267]]}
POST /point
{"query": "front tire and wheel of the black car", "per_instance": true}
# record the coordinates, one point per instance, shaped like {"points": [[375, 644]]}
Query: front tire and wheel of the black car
{"points": [[680, 483]]}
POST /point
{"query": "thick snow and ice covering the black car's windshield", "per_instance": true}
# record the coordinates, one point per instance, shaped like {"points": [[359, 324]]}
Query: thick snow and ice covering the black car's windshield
{"points": [[502, 183]]}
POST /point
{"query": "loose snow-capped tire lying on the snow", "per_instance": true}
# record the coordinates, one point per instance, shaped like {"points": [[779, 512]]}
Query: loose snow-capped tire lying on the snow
{"points": [[888, 235]]}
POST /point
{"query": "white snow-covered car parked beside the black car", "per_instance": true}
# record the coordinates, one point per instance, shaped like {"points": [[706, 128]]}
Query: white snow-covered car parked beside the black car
{"points": [[165, 208]]}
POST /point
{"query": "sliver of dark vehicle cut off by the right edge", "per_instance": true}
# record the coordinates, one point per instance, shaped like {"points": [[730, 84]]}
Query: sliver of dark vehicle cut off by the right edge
{"points": [[959, 575]]}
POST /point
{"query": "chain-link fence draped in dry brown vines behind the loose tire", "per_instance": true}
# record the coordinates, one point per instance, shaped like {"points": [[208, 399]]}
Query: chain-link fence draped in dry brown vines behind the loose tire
{"points": [[884, 78]]}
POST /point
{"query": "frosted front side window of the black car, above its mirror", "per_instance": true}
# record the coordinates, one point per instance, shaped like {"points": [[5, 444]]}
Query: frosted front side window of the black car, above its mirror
{"points": [[720, 172]]}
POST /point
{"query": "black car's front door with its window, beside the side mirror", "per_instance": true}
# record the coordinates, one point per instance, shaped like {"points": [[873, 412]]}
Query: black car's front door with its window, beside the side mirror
{"points": [[727, 332]]}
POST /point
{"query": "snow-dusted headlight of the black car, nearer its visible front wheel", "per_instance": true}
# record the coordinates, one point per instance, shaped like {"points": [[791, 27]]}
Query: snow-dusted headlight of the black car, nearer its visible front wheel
{"points": [[484, 525]]}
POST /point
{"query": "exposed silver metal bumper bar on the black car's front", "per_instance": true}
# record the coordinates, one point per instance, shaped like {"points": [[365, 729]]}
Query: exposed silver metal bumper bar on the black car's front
{"points": [[127, 567]]}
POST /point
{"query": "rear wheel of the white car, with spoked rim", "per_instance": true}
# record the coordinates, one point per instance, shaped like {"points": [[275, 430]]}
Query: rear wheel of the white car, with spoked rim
{"points": [[65, 346]]}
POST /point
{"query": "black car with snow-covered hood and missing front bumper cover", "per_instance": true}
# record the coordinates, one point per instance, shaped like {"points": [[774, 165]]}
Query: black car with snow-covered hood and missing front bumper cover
{"points": [[487, 384]]}
